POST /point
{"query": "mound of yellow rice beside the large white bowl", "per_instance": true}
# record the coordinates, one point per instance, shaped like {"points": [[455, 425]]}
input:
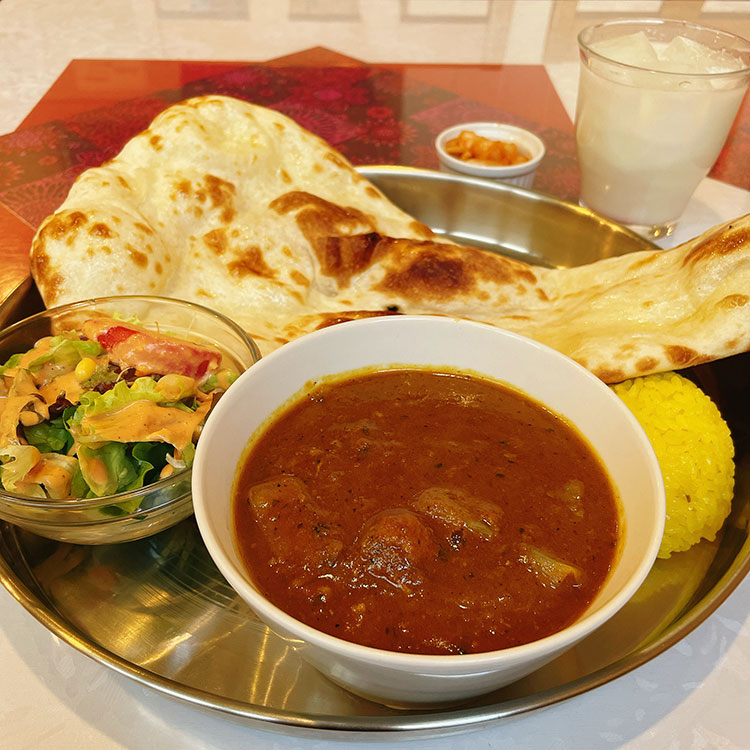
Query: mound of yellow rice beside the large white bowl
{"points": [[695, 452]]}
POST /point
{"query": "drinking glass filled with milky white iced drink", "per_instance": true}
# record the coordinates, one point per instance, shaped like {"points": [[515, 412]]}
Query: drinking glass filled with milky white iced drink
{"points": [[656, 101]]}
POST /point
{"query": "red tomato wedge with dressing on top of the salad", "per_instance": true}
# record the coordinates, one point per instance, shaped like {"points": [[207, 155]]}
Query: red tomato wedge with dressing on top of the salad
{"points": [[151, 353]]}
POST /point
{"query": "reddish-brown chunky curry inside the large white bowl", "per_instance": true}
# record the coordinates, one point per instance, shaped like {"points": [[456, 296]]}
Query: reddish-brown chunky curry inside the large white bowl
{"points": [[425, 512]]}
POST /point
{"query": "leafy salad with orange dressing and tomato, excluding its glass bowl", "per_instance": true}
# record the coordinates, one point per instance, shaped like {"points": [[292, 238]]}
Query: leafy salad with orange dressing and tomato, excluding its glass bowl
{"points": [[102, 412]]}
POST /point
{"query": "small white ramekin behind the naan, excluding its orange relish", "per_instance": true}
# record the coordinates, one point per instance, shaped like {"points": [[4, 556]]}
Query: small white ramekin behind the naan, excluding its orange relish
{"points": [[517, 174]]}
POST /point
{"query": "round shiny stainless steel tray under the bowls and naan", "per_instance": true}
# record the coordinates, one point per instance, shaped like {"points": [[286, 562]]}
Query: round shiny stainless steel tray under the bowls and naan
{"points": [[158, 611]]}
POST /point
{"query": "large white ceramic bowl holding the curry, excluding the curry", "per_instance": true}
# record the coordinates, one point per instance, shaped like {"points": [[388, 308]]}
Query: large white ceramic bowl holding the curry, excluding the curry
{"points": [[549, 377]]}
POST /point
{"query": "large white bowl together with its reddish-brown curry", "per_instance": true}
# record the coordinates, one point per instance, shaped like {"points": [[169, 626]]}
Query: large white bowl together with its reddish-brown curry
{"points": [[429, 508]]}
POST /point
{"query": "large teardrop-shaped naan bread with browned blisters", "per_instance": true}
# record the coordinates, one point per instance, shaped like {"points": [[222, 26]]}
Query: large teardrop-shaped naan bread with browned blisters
{"points": [[236, 207]]}
